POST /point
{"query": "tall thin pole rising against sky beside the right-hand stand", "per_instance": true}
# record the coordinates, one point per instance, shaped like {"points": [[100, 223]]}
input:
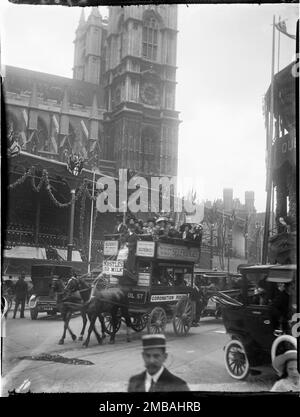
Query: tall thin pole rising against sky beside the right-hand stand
{"points": [[269, 156]]}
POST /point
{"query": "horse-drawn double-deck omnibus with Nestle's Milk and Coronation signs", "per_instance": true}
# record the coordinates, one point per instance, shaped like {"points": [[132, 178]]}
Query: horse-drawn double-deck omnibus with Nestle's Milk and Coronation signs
{"points": [[163, 270]]}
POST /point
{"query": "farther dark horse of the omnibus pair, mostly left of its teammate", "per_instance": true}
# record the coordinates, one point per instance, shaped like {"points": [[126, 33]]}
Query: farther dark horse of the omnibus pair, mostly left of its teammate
{"points": [[74, 297]]}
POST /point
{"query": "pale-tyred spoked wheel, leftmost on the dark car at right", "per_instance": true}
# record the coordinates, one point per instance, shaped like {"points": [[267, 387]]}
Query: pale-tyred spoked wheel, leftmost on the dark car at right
{"points": [[236, 360]]}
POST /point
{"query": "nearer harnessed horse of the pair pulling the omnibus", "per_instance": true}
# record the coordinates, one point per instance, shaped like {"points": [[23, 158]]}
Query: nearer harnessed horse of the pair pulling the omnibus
{"points": [[105, 299]]}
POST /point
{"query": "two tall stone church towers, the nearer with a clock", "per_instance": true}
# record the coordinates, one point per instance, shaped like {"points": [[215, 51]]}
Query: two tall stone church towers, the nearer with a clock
{"points": [[132, 57]]}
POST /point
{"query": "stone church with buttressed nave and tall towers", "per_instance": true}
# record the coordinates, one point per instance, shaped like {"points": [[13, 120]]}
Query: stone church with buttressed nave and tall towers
{"points": [[118, 111]]}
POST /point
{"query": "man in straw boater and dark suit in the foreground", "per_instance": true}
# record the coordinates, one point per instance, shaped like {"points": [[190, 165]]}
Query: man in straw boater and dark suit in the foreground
{"points": [[156, 378]]}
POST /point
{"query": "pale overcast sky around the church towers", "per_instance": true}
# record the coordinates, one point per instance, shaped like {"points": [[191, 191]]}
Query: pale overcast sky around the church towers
{"points": [[224, 70]]}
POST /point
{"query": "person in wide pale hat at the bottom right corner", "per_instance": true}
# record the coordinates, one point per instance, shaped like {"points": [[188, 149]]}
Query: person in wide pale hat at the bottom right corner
{"points": [[286, 366]]}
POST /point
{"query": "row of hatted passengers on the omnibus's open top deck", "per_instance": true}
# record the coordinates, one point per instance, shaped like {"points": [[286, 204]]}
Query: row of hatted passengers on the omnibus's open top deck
{"points": [[159, 227]]}
